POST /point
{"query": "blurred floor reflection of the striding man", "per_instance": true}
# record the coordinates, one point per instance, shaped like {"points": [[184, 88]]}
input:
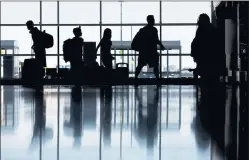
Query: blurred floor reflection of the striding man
{"points": [[147, 122]]}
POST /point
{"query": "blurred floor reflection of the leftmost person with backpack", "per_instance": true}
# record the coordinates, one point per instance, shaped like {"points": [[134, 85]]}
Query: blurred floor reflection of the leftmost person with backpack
{"points": [[40, 121]]}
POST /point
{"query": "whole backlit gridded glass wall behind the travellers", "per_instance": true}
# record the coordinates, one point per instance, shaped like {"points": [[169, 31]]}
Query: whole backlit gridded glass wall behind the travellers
{"points": [[175, 21]]}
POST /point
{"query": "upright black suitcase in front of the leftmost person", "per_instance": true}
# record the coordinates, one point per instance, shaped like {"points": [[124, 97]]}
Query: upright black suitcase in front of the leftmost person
{"points": [[29, 70]]}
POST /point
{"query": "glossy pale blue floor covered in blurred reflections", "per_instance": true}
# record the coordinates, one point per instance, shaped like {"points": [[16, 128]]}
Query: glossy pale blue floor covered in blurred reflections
{"points": [[118, 123]]}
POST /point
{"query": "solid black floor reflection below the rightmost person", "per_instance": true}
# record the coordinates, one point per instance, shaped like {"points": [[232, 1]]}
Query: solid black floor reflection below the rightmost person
{"points": [[212, 111]]}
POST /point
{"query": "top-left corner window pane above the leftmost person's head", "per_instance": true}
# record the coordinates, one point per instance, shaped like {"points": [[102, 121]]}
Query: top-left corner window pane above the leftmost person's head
{"points": [[20, 12]]}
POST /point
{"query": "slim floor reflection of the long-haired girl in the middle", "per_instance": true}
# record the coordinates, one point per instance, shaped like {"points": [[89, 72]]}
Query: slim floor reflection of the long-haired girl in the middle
{"points": [[106, 101]]}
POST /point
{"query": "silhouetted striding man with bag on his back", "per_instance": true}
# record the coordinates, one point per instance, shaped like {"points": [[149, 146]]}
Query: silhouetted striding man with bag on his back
{"points": [[147, 41]]}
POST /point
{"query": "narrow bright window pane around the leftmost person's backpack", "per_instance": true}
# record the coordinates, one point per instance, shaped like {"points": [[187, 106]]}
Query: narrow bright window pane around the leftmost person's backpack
{"points": [[53, 31]]}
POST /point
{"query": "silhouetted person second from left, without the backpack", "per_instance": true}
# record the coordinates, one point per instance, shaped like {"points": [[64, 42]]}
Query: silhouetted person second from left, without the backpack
{"points": [[76, 53]]}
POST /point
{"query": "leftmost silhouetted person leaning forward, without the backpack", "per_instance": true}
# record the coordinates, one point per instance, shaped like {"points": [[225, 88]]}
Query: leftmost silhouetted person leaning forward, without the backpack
{"points": [[39, 49]]}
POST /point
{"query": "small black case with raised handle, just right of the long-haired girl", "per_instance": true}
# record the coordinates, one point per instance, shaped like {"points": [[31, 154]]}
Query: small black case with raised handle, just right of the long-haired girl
{"points": [[122, 72]]}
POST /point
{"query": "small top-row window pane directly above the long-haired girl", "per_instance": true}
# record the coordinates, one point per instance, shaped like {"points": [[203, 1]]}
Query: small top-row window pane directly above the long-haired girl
{"points": [[113, 15]]}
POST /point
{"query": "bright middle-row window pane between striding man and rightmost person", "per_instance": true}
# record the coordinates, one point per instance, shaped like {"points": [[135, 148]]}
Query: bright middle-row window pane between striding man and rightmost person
{"points": [[183, 33]]}
